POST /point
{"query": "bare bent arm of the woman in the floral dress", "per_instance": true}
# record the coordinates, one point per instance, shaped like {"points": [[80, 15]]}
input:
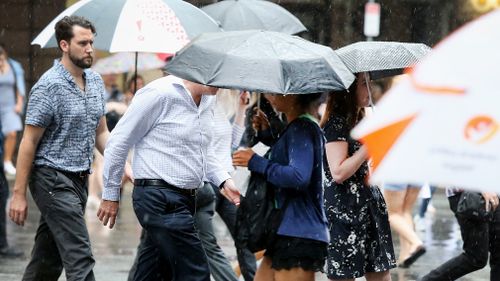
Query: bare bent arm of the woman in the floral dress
{"points": [[341, 166]]}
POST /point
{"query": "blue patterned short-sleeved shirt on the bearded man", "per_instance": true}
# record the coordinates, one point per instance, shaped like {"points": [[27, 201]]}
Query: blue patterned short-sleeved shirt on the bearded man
{"points": [[69, 115]]}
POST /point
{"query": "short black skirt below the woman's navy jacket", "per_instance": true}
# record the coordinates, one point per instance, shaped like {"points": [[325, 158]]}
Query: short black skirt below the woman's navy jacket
{"points": [[291, 252]]}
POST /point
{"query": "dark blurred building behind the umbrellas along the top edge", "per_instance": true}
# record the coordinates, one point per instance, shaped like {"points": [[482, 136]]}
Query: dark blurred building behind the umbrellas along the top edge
{"points": [[330, 22]]}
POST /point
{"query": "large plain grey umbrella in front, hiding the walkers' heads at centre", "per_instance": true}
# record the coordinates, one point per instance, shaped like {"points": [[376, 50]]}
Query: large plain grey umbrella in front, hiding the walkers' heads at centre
{"points": [[261, 61]]}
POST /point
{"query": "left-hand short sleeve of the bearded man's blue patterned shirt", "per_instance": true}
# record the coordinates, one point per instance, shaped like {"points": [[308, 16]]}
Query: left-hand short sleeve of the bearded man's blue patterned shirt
{"points": [[40, 111]]}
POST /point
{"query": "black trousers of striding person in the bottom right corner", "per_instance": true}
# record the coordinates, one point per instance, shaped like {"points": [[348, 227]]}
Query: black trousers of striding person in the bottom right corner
{"points": [[480, 239]]}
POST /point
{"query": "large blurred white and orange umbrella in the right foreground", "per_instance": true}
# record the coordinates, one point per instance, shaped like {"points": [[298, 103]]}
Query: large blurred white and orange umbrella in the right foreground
{"points": [[441, 123]]}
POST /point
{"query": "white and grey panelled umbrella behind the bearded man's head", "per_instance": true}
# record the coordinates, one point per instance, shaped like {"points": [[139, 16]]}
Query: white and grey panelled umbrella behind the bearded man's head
{"points": [[159, 26]]}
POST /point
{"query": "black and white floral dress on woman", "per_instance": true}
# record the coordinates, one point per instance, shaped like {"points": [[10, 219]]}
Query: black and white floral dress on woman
{"points": [[360, 236]]}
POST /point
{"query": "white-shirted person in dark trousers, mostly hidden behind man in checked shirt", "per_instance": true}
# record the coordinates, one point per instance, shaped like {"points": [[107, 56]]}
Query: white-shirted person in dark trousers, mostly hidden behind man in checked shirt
{"points": [[226, 139]]}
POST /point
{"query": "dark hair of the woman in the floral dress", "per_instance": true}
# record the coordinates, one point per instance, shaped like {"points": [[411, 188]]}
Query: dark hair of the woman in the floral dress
{"points": [[343, 104]]}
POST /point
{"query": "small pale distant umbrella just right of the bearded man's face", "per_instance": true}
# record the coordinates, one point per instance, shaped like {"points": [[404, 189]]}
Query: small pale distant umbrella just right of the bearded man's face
{"points": [[125, 62]]}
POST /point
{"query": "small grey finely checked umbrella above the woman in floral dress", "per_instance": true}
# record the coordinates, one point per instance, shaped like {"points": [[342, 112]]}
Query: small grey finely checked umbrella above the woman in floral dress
{"points": [[381, 59]]}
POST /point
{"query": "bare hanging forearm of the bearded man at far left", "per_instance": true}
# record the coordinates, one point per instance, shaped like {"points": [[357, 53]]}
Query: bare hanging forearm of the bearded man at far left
{"points": [[18, 206]]}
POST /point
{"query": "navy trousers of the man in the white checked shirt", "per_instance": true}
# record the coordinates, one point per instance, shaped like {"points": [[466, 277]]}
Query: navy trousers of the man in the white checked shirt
{"points": [[172, 249]]}
